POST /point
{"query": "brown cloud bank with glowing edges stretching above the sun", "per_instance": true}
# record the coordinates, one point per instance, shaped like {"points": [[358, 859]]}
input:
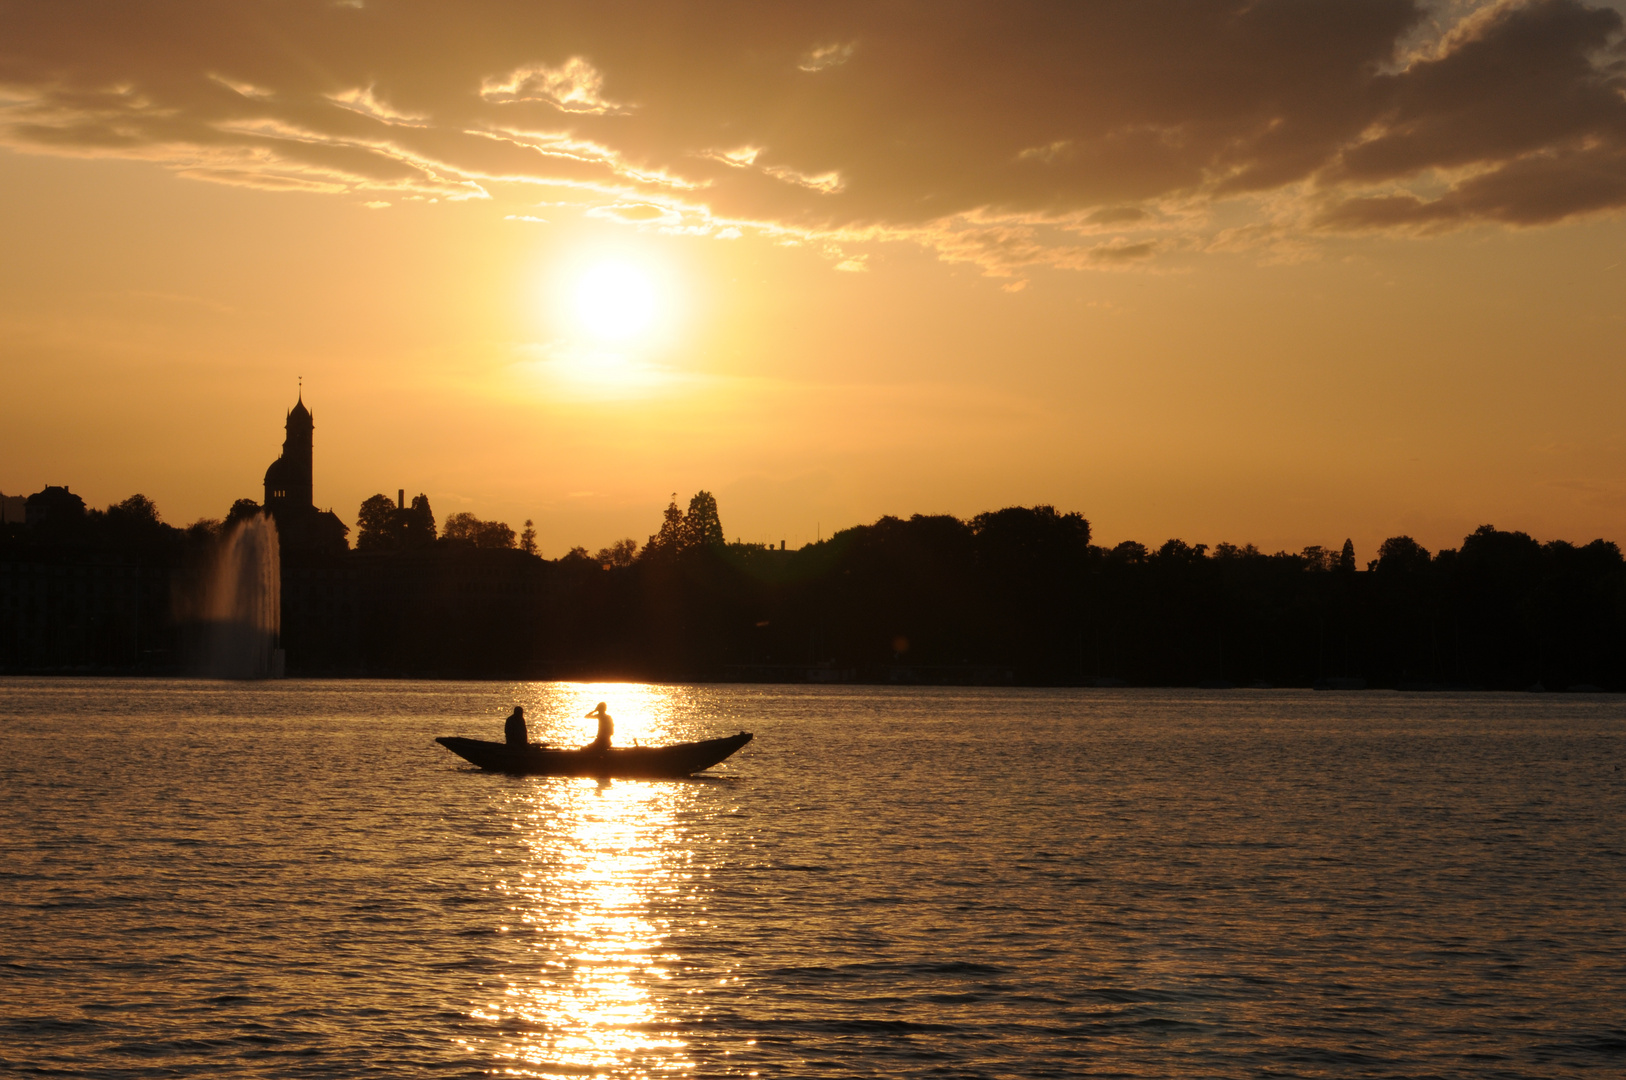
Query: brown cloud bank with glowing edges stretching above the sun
{"points": [[991, 133]]}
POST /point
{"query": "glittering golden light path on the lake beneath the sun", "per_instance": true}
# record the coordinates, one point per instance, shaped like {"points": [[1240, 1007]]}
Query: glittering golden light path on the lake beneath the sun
{"points": [[596, 863]]}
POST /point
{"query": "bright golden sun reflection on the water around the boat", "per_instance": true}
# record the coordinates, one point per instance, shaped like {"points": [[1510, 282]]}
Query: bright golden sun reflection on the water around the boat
{"points": [[599, 884]]}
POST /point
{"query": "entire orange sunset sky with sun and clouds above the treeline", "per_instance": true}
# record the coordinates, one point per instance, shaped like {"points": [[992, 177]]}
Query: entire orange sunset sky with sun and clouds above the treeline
{"points": [[1274, 272]]}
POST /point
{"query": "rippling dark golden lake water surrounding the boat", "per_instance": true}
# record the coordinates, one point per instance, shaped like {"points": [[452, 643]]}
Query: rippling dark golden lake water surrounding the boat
{"points": [[295, 881]]}
